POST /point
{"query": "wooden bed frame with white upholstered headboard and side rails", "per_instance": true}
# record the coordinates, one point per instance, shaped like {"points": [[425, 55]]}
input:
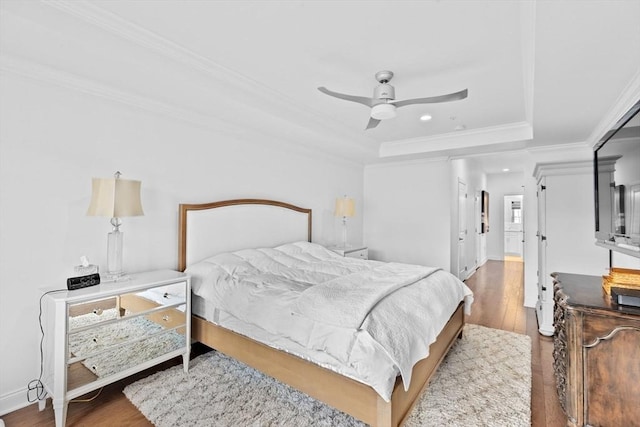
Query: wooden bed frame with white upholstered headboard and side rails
{"points": [[262, 223]]}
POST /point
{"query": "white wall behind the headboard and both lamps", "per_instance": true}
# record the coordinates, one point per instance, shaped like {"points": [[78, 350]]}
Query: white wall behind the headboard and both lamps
{"points": [[54, 140]]}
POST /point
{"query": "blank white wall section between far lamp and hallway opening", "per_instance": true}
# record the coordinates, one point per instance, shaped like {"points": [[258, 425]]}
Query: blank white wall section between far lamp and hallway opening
{"points": [[407, 212]]}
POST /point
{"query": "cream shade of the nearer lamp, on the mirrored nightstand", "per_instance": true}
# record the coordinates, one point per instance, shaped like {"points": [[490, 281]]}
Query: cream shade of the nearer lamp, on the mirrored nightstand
{"points": [[115, 198]]}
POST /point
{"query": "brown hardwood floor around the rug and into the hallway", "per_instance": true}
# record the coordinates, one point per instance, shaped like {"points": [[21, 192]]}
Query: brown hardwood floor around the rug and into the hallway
{"points": [[498, 292]]}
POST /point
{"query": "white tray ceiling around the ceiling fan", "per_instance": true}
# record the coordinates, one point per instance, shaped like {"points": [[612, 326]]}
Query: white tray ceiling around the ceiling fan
{"points": [[538, 73]]}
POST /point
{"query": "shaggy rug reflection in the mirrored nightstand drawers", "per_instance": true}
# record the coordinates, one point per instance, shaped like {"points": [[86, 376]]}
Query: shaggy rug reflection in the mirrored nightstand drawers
{"points": [[97, 344]]}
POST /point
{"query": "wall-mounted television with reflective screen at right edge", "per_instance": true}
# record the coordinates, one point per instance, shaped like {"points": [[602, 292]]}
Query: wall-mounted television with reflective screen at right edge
{"points": [[617, 185]]}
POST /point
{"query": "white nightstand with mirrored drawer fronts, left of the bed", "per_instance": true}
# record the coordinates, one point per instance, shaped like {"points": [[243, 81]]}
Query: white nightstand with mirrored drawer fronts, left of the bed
{"points": [[98, 335]]}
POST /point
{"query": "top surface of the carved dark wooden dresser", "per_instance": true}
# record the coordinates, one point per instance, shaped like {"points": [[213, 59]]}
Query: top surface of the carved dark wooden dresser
{"points": [[583, 291]]}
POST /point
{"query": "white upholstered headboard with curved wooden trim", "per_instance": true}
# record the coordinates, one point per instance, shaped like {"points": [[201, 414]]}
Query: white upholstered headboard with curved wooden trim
{"points": [[207, 229]]}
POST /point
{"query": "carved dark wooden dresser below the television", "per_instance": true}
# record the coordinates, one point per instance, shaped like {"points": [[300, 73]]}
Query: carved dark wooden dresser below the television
{"points": [[596, 354]]}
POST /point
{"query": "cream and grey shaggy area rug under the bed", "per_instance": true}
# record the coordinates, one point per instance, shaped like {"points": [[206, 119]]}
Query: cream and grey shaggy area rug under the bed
{"points": [[485, 380]]}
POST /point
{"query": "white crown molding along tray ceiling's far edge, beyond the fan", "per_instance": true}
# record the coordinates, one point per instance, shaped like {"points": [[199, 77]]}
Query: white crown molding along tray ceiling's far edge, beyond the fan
{"points": [[519, 131]]}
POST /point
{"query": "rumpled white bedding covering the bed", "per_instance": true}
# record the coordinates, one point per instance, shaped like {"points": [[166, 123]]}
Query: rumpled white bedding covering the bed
{"points": [[363, 319]]}
